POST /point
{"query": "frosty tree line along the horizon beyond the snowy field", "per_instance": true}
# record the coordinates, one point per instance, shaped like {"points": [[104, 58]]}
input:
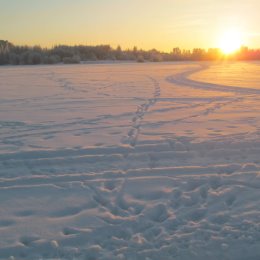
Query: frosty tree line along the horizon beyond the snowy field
{"points": [[11, 54]]}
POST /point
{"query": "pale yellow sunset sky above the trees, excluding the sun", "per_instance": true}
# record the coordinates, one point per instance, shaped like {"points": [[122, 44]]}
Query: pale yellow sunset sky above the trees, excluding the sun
{"points": [[161, 24]]}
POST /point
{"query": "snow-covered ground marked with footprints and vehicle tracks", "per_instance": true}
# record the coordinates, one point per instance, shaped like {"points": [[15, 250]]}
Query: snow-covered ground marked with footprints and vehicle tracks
{"points": [[130, 162]]}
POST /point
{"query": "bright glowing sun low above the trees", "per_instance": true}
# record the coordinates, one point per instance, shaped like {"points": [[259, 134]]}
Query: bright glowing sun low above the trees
{"points": [[230, 41]]}
